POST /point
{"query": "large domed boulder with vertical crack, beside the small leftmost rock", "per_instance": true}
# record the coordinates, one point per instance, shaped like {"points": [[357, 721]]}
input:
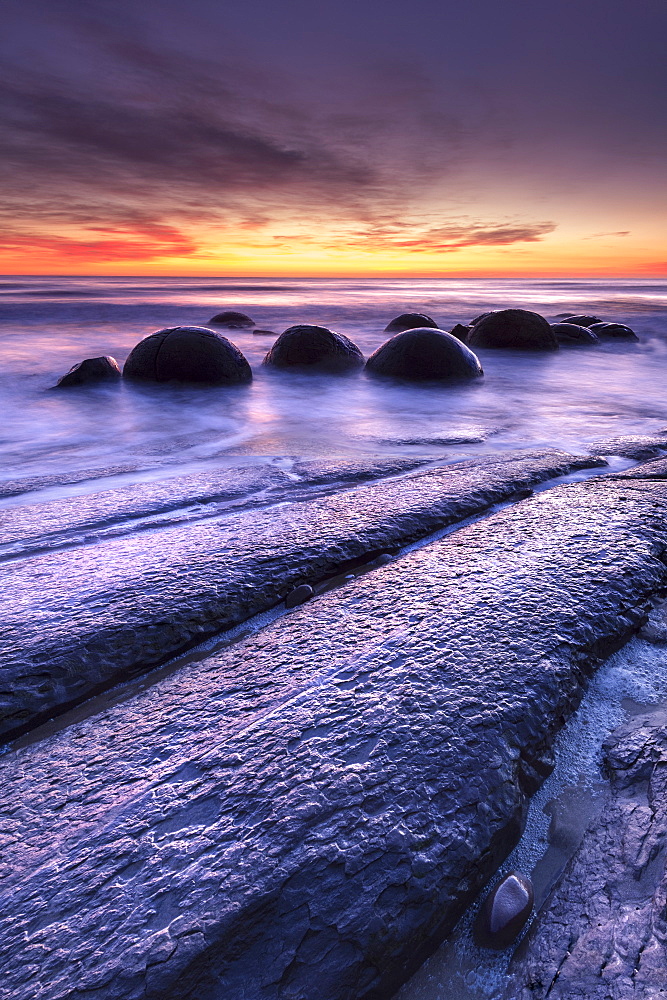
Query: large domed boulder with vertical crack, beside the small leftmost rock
{"points": [[187, 354]]}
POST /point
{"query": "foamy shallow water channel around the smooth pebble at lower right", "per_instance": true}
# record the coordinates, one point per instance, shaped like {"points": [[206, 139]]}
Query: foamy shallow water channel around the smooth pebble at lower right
{"points": [[635, 675]]}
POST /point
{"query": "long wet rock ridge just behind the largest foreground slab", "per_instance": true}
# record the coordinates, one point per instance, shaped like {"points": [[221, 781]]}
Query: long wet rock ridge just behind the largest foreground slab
{"points": [[135, 598]]}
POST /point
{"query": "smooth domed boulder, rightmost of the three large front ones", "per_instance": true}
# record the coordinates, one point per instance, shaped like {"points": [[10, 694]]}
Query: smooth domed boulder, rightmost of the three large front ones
{"points": [[424, 354]]}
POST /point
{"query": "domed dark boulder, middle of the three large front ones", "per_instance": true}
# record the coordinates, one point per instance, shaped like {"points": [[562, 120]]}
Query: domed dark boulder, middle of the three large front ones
{"points": [[314, 347]]}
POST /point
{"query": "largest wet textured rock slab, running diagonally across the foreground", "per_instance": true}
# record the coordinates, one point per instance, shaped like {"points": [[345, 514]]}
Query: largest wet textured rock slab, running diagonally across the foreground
{"points": [[307, 813]]}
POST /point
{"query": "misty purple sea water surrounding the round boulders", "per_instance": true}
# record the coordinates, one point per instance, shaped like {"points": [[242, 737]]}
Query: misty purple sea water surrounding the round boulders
{"points": [[567, 398]]}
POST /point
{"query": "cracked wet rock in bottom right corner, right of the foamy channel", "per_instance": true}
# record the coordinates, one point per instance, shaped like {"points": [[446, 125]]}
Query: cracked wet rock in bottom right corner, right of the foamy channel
{"points": [[603, 934]]}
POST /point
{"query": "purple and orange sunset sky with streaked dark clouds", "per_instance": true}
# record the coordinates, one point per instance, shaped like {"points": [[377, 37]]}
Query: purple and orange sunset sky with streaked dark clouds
{"points": [[345, 137]]}
